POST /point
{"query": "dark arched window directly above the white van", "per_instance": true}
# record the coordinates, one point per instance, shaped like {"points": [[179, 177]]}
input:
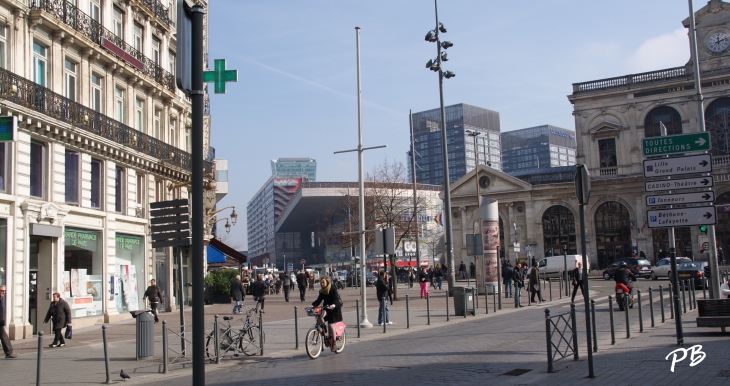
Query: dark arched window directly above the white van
{"points": [[558, 229]]}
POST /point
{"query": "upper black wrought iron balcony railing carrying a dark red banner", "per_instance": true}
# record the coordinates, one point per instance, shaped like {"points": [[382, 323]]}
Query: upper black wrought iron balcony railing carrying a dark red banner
{"points": [[90, 28]]}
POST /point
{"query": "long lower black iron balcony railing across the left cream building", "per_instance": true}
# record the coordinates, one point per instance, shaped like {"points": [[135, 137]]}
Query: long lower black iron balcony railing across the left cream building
{"points": [[45, 101]]}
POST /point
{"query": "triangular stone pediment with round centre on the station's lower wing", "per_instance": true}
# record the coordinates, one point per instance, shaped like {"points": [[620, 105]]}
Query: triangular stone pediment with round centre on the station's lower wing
{"points": [[492, 181]]}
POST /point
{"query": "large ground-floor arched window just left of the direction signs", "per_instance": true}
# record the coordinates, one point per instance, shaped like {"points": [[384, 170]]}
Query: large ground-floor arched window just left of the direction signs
{"points": [[613, 233]]}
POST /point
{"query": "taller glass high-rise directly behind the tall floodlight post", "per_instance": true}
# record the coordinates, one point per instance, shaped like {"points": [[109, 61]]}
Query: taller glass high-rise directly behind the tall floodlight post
{"points": [[460, 119]]}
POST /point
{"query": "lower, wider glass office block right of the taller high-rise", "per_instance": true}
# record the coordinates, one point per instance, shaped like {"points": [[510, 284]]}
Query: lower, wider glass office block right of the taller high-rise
{"points": [[537, 147]]}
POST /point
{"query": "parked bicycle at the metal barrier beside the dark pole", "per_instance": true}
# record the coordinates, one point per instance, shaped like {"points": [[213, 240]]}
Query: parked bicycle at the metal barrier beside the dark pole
{"points": [[245, 339]]}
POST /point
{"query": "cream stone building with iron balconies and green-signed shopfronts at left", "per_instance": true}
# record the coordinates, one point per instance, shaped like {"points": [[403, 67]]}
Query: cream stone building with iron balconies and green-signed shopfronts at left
{"points": [[102, 131]]}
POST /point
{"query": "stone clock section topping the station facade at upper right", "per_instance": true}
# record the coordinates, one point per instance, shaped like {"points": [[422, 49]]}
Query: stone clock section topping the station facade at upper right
{"points": [[713, 35]]}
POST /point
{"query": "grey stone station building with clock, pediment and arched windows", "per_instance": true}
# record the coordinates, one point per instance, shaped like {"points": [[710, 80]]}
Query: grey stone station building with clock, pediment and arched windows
{"points": [[612, 116]]}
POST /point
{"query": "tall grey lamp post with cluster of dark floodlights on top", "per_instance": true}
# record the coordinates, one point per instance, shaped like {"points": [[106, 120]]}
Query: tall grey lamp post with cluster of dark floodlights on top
{"points": [[436, 66]]}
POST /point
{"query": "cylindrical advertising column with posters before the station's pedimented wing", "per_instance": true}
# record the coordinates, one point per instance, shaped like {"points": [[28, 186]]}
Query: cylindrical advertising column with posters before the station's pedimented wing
{"points": [[490, 239]]}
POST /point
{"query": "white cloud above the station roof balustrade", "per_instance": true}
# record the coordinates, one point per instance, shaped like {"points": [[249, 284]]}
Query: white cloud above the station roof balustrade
{"points": [[664, 51]]}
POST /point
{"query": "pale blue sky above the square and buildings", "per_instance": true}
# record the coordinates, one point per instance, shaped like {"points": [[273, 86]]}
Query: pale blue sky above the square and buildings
{"points": [[296, 94]]}
